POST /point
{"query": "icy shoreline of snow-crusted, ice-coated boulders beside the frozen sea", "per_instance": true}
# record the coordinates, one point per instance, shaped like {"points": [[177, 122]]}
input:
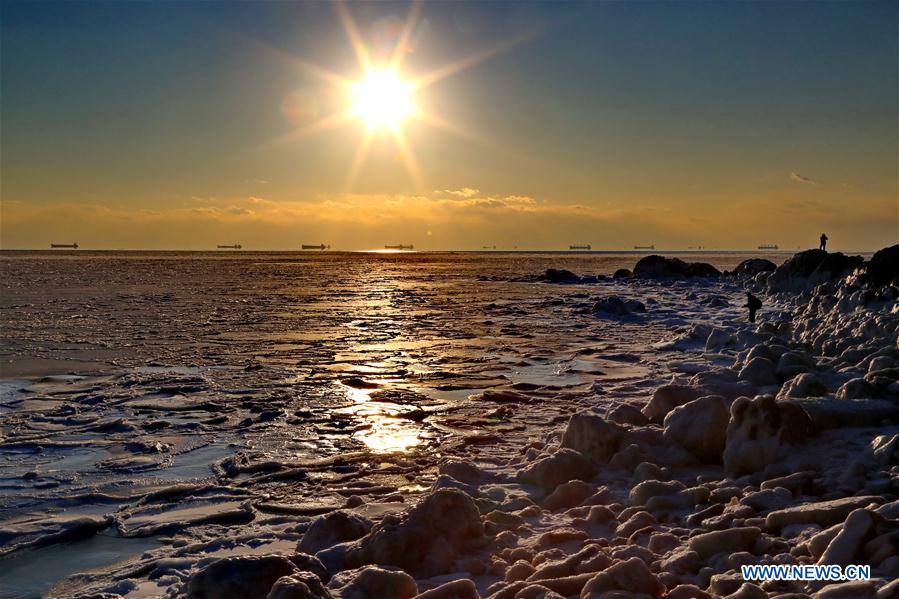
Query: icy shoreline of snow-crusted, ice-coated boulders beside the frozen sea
{"points": [[626, 488]]}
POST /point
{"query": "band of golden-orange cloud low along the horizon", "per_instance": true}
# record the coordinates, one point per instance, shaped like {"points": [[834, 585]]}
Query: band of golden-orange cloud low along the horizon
{"points": [[462, 220]]}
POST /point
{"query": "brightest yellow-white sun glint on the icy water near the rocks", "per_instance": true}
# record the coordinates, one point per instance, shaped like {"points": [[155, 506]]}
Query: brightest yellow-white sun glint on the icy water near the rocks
{"points": [[384, 432]]}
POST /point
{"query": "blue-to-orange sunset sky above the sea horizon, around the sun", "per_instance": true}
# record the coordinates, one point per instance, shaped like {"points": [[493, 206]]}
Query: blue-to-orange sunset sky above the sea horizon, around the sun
{"points": [[166, 125]]}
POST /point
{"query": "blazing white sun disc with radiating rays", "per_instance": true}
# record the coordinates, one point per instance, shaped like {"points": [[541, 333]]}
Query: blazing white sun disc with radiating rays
{"points": [[382, 99]]}
